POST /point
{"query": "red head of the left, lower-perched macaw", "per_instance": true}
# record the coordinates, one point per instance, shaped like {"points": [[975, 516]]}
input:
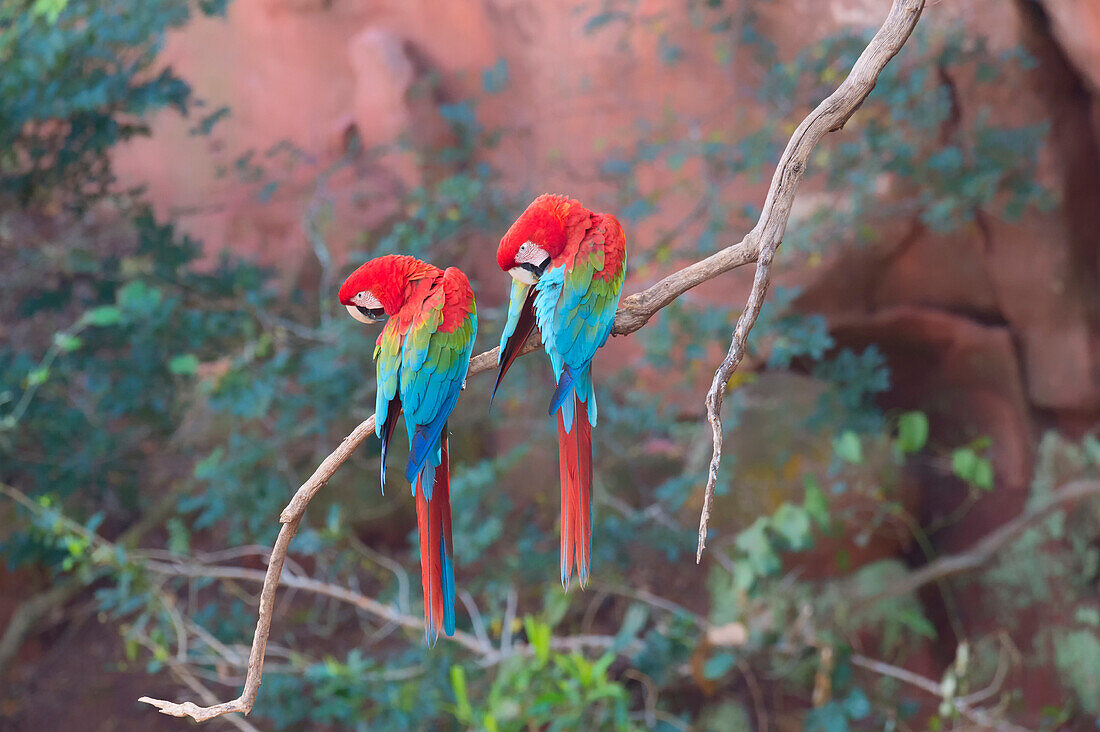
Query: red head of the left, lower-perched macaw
{"points": [[379, 288]]}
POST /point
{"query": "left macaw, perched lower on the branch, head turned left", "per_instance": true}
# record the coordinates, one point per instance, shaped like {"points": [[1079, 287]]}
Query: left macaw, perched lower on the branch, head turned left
{"points": [[422, 358]]}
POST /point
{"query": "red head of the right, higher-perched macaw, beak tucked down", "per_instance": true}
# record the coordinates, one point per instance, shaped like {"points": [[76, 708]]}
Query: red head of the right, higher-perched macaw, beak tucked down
{"points": [[538, 236]]}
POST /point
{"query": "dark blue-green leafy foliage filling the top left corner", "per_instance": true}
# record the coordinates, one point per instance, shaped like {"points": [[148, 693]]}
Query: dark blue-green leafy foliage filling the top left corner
{"points": [[57, 126]]}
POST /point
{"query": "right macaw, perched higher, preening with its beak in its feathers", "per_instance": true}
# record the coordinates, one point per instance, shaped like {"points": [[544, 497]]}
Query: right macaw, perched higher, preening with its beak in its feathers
{"points": [[567, 266]]}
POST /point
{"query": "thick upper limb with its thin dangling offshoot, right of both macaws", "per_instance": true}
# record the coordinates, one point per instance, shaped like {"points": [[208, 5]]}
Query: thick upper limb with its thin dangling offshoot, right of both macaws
{"points": [[766, 236]]}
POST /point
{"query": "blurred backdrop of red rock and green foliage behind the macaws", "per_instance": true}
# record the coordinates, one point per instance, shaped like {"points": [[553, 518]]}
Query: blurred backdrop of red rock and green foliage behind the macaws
{"points": [[161, 400]]}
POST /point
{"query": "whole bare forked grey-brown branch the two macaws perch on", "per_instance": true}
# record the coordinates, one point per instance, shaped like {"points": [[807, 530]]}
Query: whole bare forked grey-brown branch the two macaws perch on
{"points": [[634, 313]]}
